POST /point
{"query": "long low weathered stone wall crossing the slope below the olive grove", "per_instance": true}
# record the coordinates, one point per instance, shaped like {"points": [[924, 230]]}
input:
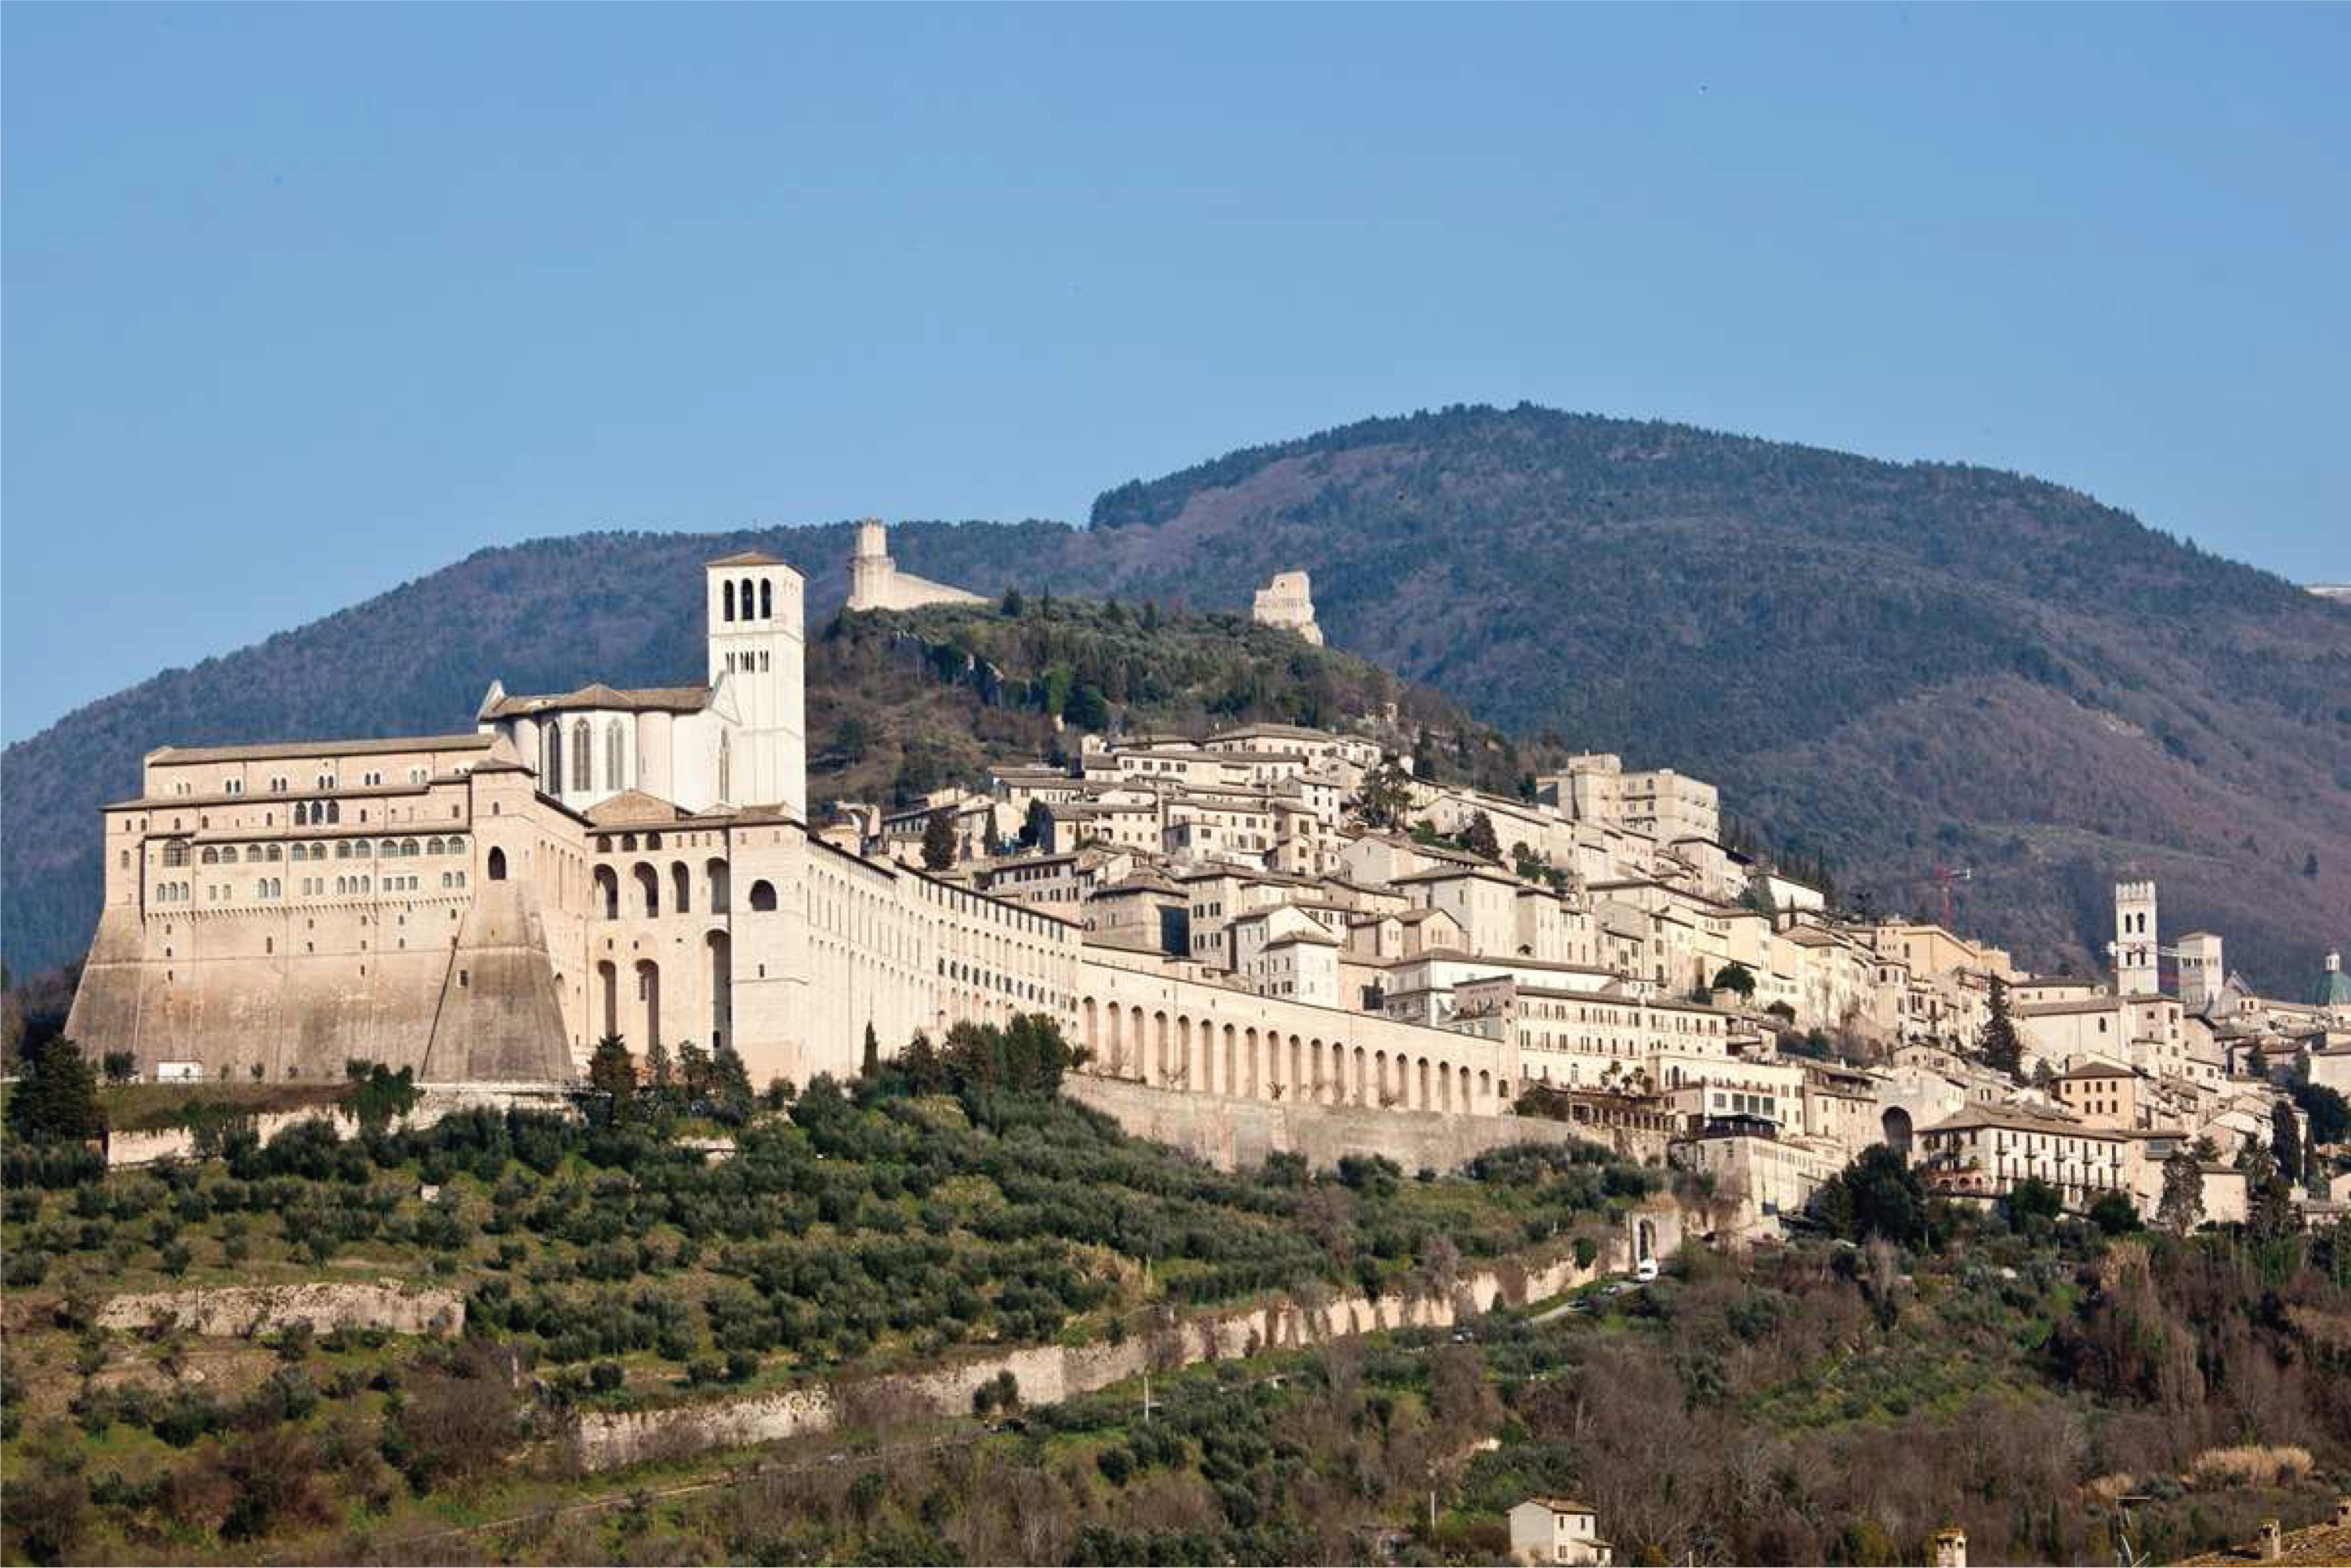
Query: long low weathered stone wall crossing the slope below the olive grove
{"points": [[1050, 1374]]}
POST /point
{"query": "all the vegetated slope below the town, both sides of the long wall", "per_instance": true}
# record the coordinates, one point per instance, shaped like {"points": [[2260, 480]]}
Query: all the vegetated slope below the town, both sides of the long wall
{"points": [[2044, 1383]]}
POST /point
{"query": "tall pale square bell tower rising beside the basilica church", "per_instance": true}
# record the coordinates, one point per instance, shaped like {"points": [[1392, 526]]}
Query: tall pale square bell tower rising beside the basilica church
{"points": [[756, 648]]}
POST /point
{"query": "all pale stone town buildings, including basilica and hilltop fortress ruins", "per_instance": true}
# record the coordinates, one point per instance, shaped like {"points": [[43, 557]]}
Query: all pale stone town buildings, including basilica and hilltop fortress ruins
{"points": [[1259, 913]]}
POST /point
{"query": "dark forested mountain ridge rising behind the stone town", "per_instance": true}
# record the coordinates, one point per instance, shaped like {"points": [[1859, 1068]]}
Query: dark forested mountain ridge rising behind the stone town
{"points": [[1891, 664]]}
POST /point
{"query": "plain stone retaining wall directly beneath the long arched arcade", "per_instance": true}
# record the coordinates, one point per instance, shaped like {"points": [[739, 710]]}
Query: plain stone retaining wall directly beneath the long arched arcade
{"points": [[1238, 1134]]}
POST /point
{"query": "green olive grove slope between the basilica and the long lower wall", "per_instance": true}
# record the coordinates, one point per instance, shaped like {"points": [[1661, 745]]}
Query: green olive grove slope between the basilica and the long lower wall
{"points": [[944, 1202]]}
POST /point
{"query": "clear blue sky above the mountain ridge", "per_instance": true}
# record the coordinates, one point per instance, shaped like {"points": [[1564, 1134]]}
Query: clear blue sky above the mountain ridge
{"points": [[304, 302]]}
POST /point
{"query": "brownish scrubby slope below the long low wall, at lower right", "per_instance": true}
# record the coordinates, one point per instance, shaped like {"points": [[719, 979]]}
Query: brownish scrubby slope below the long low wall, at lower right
{"points": [[2042, 1386]]}
